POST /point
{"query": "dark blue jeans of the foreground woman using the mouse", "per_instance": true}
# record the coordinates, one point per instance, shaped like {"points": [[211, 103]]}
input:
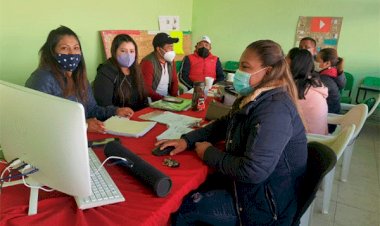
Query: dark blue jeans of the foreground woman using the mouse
{"points": [[214, 207]]}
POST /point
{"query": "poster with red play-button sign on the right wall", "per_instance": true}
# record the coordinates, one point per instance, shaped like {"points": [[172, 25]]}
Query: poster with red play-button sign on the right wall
{"points": [[325, 30]]}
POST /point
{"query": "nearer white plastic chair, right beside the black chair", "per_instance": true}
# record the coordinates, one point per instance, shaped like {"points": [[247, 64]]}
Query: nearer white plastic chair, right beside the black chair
{"points": [[338, 143]]}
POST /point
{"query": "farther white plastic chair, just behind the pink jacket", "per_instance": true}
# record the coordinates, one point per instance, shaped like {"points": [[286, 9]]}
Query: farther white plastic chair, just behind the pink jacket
{"points": [[356, 115]]}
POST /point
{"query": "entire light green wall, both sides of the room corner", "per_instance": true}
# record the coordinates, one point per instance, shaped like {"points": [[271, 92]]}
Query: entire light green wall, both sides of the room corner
{"points": [[232, 25]]}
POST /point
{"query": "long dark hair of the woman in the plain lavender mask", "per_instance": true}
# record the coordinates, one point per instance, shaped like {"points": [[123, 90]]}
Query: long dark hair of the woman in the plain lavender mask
{"points": [[124, 93]]}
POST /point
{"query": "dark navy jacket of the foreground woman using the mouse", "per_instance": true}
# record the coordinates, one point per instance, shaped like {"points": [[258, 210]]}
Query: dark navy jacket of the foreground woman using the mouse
{"points": [[265, 156]]}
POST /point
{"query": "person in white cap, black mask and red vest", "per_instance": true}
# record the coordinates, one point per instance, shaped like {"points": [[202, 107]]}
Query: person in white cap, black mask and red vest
{"points": [[202, 63]]}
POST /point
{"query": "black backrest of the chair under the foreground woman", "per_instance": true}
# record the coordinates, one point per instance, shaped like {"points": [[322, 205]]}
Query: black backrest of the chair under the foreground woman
{"points": [[321, 159]]}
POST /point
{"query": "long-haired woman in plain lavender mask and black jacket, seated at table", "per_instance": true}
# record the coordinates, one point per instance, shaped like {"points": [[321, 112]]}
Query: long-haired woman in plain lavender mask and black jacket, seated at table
{"points": [[119, 81]]}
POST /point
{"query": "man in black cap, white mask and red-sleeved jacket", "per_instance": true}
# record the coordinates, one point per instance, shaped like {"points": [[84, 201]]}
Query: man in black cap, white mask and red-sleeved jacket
{"points": [[158, 68]]}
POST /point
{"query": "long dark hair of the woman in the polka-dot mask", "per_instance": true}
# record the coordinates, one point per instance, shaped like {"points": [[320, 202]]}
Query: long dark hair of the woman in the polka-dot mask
{"points": [[48, 61]]}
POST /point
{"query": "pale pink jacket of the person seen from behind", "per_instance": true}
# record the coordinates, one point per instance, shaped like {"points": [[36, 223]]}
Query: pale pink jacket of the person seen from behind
{"points": [[314, 109]]}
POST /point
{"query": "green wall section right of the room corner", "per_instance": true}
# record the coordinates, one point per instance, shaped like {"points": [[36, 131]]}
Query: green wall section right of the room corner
{"points": [[232, 25]]}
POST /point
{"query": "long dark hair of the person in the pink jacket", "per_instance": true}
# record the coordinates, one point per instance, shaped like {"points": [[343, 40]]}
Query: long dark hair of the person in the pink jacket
{"points": [[302, 68]]}
